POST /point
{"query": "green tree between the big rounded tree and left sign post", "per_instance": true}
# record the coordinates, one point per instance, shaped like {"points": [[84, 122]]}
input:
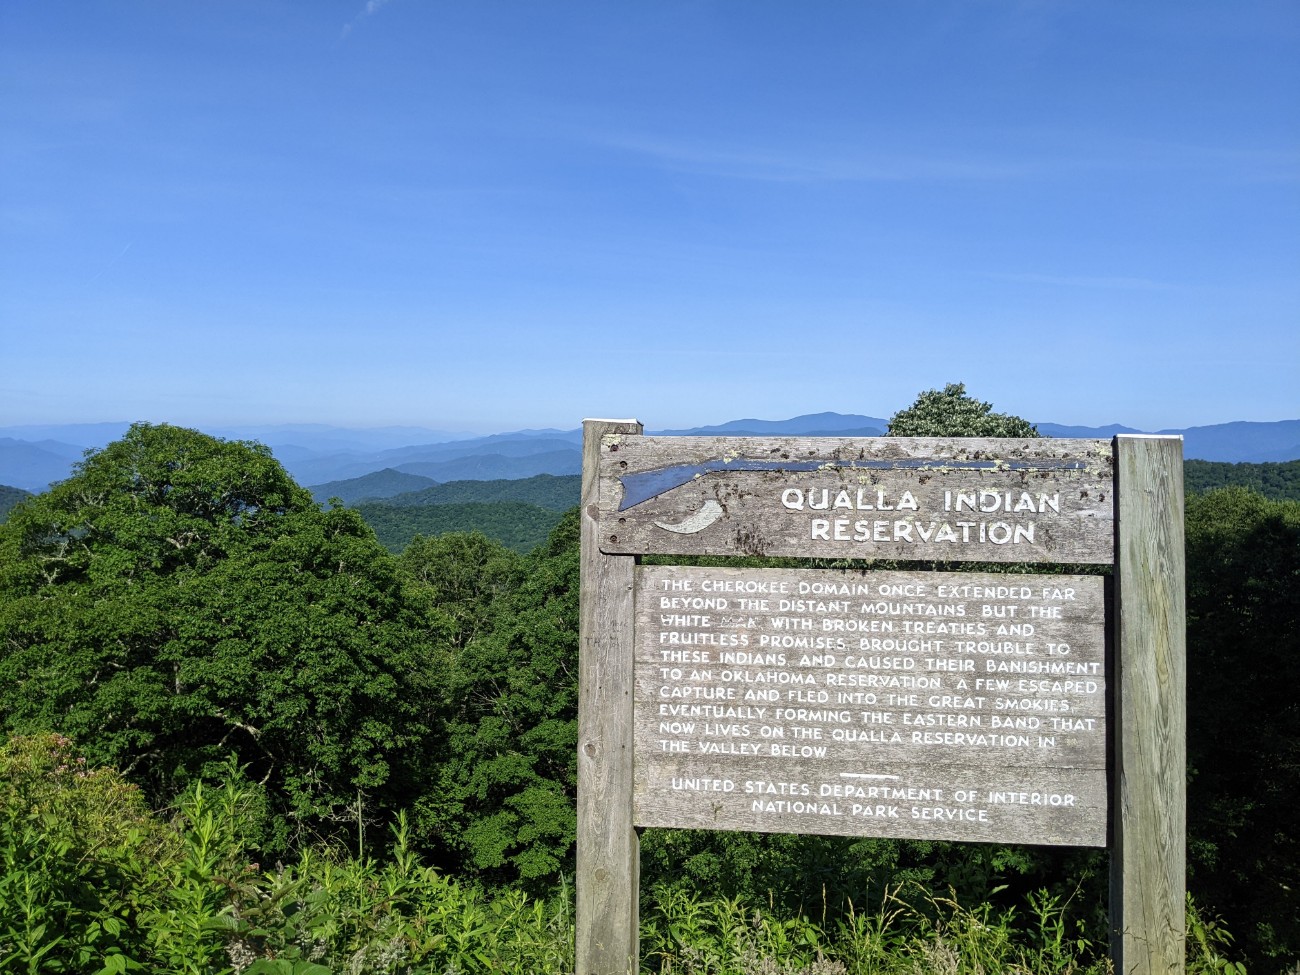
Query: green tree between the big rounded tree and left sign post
{"points": [[502, 803]]}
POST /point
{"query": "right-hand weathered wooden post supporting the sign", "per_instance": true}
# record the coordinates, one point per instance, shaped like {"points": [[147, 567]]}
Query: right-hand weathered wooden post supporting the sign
{"points": [[1149, 853]]}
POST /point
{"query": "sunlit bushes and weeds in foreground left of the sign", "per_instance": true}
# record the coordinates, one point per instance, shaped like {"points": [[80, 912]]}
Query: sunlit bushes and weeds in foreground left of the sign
{"points": [[94, 882]]}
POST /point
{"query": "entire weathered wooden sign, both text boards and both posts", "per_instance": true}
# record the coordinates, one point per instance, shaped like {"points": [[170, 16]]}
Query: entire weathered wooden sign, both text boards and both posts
{"points": [[925, 705]]}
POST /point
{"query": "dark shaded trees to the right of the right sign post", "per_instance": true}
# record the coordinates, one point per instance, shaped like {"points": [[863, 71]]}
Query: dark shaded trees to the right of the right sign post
{"points": [[1243, 609]]}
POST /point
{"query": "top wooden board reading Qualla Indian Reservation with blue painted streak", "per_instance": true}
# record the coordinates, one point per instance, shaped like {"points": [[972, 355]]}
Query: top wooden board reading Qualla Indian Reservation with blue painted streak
{"points": [[860, 499]]}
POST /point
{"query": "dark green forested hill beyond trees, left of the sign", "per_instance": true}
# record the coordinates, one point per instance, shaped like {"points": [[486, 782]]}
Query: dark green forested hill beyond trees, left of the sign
{"points": [[515, 525]]}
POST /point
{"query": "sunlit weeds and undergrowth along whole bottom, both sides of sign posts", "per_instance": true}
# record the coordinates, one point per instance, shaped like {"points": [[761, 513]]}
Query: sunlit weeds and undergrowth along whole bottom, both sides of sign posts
{"points": [[94, 882]]}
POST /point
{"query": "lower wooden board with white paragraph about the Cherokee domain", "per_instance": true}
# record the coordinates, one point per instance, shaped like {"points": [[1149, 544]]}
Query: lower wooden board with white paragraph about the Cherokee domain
{"points": [[954, 707]]}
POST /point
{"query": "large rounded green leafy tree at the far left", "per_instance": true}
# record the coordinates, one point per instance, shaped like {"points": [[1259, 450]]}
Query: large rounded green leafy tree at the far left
{"points": [[180, 599]]}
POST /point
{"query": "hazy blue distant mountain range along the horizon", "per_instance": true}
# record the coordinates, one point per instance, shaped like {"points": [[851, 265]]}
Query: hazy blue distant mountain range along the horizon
{"points": [[357, 465]]}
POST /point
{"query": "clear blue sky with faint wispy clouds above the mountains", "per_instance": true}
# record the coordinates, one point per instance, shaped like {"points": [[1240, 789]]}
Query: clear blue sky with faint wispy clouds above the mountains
{"points": [[483, 215]]}
